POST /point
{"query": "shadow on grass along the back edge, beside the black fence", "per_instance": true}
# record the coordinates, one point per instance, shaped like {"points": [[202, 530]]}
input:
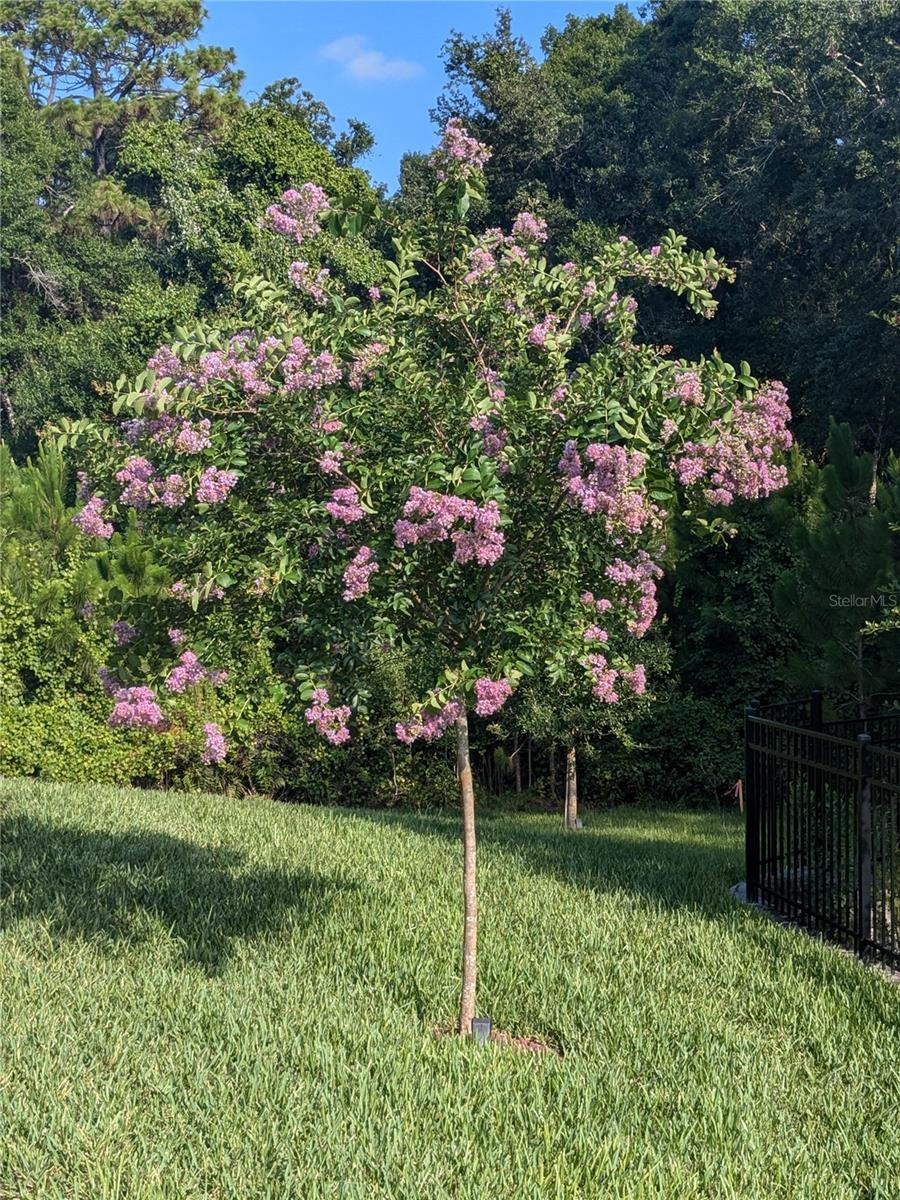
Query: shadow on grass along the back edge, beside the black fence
{"points": [[674, 873]]}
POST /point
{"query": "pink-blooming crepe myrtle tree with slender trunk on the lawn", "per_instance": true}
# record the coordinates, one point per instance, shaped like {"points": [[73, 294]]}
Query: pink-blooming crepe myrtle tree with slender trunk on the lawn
{"points": [[475, 464]]}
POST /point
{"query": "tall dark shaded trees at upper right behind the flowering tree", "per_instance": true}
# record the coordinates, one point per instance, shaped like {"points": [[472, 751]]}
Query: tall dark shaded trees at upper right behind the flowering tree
{"points": [[764, 128]]}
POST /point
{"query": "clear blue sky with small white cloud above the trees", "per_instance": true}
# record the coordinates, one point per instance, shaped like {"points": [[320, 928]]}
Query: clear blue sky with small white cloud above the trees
{"points": [[379, 61]]}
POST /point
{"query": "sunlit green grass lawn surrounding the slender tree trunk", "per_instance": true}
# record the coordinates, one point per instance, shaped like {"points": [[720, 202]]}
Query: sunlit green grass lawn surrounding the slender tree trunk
{"points": [[233, 999]]}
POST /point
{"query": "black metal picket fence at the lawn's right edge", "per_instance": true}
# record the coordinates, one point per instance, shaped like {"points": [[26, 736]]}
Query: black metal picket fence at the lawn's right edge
{"points": [[824, 823]]}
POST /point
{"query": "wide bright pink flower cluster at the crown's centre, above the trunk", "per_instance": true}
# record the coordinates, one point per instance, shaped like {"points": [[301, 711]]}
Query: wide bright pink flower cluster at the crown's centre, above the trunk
{"points": [[429, 517]]}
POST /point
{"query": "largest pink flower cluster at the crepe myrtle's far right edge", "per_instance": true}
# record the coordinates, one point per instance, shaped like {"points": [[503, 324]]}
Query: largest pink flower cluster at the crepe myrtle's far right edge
{"points": [[741, 463]]}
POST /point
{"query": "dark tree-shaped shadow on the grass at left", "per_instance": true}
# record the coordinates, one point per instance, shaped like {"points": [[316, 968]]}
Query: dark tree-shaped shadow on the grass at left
{"points": [[104, 887]]}
